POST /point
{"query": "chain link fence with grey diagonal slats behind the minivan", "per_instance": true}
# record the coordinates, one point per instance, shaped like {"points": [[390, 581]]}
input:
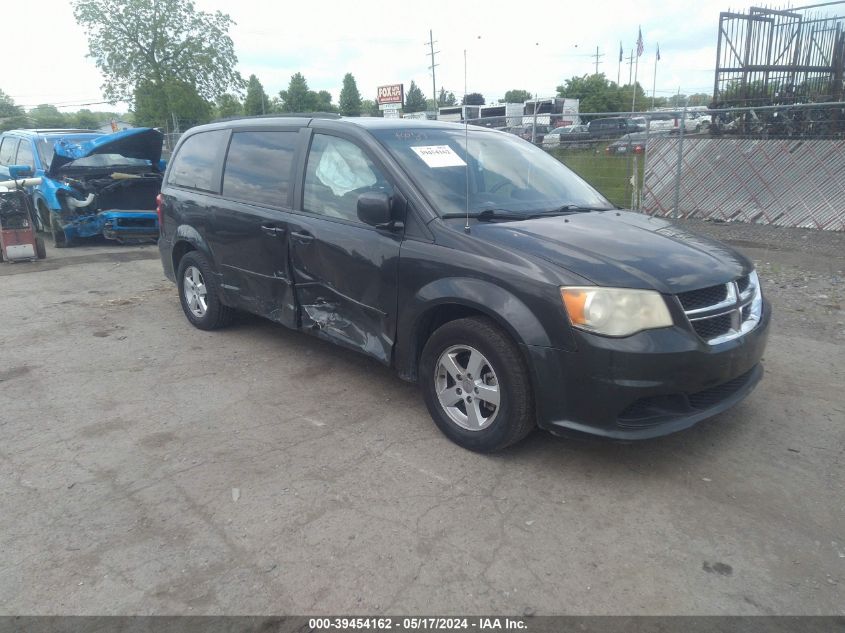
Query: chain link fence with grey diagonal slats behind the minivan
{"points": [[782, 165]]}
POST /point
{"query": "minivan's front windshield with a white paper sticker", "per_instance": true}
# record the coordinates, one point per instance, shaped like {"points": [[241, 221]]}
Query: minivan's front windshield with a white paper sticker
{"points": [[505, 173]]}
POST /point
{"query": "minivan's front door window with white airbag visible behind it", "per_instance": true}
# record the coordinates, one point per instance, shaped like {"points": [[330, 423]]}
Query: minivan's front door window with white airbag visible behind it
{"points": [[338, 172]]}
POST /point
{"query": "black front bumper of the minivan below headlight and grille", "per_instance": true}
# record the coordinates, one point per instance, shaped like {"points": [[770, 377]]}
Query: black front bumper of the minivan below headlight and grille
{"points": [[647, 385]]}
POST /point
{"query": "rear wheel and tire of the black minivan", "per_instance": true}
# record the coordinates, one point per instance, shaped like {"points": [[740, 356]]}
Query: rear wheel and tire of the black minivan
{"points": [[199, 293]]}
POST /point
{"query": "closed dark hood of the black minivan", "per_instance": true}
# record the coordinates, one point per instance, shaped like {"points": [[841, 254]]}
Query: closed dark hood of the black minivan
{"points": [[622, 249]]}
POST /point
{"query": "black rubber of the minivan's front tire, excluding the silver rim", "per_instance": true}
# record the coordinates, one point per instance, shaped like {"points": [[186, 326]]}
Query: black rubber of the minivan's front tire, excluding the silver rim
{"points": [[516, 418]]}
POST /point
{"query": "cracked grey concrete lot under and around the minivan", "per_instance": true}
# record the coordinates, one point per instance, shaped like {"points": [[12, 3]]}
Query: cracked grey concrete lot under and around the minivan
{"points": [[147, 467]]}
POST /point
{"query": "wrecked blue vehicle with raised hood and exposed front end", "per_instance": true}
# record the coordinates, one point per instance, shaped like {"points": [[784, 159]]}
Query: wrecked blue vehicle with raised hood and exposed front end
{"points": [[92, 183]]}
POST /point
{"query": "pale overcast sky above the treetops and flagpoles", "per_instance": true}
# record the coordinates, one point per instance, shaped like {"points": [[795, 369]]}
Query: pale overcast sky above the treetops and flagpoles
{"points": [[529, 45]]}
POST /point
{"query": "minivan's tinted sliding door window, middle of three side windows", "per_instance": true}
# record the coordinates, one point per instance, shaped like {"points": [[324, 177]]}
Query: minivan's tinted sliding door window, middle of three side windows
{"points": [[258, 167]]}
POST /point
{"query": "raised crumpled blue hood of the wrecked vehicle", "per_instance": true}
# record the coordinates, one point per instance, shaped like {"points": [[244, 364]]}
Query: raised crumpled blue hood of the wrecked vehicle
{"points": [[142, 142]]}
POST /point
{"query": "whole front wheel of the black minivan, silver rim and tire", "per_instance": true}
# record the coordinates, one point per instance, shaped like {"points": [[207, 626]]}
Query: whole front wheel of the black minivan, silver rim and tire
{"points": [[501, 373]]}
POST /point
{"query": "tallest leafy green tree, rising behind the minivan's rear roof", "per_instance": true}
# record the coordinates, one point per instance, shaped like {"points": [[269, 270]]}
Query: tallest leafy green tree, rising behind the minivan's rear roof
{"points": [[160, 44]]}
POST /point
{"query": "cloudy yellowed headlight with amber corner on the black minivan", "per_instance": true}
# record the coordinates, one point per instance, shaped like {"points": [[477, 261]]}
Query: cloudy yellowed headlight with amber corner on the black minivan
{"points": [[615, 311]]}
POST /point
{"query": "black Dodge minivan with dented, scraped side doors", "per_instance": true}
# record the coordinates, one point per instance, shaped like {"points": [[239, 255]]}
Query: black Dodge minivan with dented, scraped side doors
{"points": [[470, 261]]}
